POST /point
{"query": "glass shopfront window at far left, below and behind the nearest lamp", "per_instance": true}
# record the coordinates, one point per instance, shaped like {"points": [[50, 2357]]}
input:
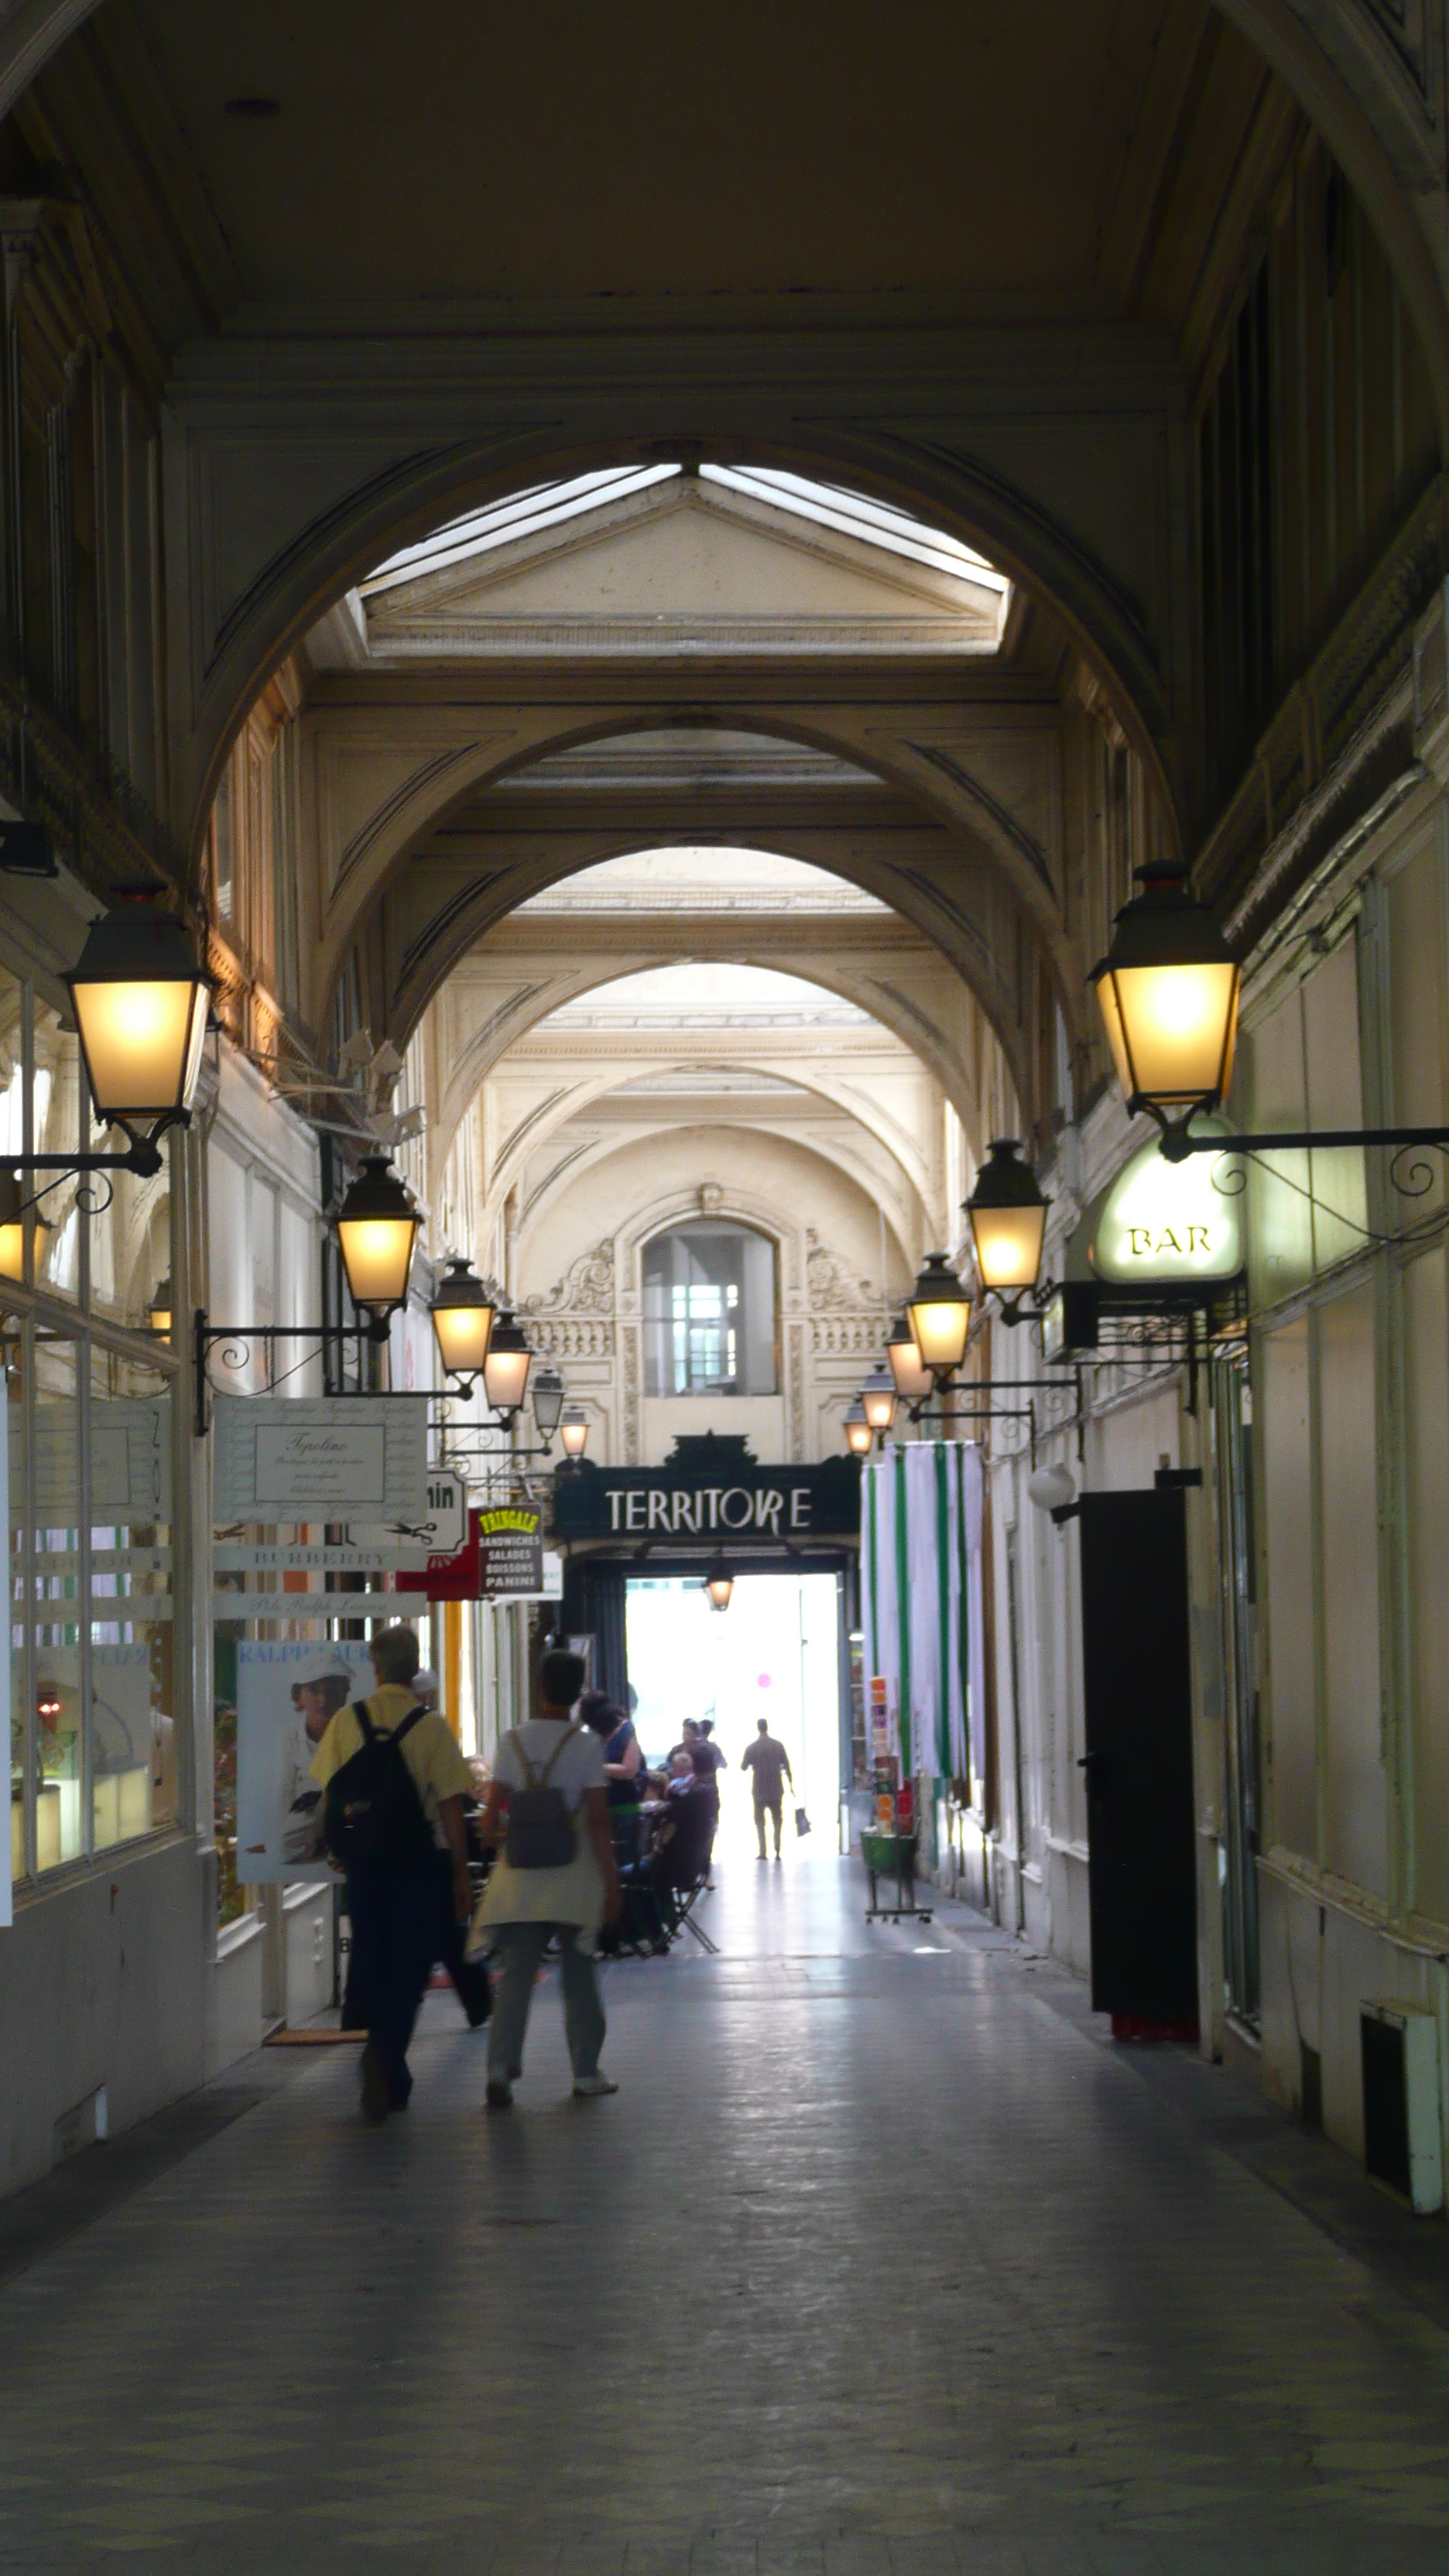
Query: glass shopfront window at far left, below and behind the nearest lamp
{"points": [[89, 1464]]}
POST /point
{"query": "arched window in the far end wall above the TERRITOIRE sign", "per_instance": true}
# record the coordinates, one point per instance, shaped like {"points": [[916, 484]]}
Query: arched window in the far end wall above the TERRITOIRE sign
{"points": [[710, 1312]]}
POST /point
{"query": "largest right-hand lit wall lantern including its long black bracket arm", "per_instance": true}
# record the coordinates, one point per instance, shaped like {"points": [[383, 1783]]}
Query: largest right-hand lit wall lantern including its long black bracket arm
{"points": [[1169, 996]]}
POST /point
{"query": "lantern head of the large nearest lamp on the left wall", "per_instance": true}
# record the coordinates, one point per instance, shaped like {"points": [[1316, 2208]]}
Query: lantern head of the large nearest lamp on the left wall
{"points": [[141, 1014]]}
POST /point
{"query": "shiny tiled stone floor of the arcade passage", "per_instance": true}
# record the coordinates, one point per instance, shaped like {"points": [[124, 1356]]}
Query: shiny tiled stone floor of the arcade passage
{"points": [[883, 2263]]}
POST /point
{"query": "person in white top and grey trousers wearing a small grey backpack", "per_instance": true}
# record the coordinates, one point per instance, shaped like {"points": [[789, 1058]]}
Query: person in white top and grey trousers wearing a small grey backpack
{"points": [[556, 1877]]}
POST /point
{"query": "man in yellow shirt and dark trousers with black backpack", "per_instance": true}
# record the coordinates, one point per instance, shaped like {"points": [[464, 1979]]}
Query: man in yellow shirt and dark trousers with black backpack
{"points": [[391, 1779]]}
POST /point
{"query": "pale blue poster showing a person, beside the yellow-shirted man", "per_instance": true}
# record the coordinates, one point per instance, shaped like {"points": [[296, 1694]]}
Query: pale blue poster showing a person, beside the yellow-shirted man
{"points": [[285, 1699]]}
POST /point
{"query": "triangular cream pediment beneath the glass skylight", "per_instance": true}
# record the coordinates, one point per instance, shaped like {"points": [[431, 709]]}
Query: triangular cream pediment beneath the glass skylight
{"points": [[682, 568]]}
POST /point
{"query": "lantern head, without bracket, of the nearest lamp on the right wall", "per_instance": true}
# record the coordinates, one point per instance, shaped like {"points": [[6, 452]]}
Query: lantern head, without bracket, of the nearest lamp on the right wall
{"points": [[1169, 998]]}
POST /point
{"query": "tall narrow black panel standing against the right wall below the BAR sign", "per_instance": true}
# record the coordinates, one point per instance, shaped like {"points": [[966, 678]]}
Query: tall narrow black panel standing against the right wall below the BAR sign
{"points": [[1138, 1758]]}
